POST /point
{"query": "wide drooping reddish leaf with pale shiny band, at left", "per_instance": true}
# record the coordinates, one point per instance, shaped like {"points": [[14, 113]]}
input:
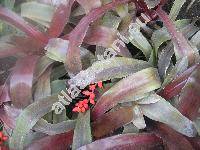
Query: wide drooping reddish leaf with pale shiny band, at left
{"points": [[21, 81]]}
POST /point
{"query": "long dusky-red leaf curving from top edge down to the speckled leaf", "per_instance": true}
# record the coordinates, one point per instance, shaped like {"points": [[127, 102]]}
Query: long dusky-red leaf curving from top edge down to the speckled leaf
{"points": [[73, 60]]}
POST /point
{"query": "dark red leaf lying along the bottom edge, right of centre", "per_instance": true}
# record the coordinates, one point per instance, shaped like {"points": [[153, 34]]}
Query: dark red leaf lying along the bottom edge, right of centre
{"points": [[126, 141]]}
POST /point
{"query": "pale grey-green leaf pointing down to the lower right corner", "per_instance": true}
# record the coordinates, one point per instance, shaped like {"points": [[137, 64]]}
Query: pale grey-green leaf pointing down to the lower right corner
{"points": [[164, 112]]}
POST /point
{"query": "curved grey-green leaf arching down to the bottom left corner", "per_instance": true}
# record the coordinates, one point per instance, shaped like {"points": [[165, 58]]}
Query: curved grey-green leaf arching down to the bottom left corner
{"points": [[28, 118]]}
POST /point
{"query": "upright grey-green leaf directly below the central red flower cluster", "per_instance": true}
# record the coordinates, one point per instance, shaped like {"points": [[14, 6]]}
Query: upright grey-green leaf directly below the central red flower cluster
{"points": [[82, 131]]}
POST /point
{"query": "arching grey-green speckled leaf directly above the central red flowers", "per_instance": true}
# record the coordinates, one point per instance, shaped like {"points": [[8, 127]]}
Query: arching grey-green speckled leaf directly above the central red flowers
{"points": [[117, 67]]}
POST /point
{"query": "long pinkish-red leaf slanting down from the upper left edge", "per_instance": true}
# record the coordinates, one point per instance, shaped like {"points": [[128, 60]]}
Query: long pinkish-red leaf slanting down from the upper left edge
{"points": [[12, 18]]}
